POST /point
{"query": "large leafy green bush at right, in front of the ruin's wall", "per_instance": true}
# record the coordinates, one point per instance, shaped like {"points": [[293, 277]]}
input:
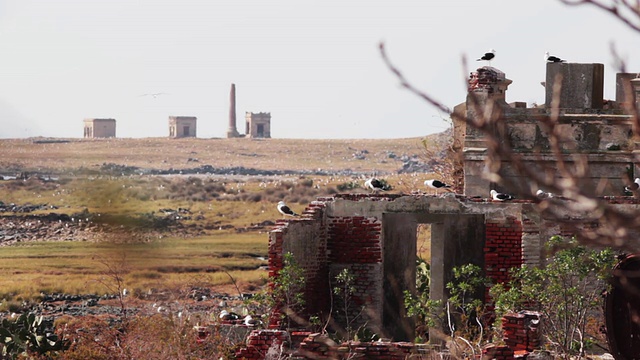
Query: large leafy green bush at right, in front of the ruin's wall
{"points": [[567, 291]]}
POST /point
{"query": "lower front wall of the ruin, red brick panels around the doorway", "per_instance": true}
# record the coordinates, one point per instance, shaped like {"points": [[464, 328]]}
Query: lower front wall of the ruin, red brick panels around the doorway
{"points": [[374, 237]]}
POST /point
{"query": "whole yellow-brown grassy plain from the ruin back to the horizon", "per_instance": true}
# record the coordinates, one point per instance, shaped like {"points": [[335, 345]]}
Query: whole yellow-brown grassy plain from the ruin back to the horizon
{"points": [[218, 236]]}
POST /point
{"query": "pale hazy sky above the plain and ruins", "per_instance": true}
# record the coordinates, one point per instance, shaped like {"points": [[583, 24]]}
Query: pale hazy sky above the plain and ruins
{"points": [[314, 65]]}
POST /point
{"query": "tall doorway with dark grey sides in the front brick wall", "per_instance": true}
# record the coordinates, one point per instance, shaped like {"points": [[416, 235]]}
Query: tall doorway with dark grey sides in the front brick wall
{"points": [[444, 241]]}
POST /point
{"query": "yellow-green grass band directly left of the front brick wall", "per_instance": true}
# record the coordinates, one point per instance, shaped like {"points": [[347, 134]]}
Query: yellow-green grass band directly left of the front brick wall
{"points": [[84, 268]]}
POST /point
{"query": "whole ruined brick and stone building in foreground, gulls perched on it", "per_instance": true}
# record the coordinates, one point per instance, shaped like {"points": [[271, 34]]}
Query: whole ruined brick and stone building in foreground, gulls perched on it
{"points": [[374, 236]]}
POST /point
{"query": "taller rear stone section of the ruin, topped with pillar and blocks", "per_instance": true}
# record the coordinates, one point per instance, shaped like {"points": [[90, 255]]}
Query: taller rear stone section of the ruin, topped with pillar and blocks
{"points": [[602, 135]]}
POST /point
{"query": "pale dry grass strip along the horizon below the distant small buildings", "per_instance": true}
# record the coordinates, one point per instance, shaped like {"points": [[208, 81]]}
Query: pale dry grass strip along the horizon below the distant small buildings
{"points": [[164, 153]]}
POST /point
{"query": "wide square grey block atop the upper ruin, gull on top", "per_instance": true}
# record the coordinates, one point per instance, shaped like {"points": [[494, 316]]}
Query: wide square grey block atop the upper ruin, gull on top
{"points": [[582, 85]]}
